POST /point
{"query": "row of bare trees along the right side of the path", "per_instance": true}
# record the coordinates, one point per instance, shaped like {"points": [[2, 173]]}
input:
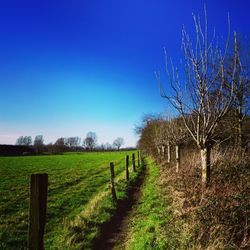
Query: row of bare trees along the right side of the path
{"points": [[210, 94]]}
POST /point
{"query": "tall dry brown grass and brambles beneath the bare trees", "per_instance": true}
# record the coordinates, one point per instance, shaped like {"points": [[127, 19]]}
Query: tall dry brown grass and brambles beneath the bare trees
{"points": [[219, 217]]}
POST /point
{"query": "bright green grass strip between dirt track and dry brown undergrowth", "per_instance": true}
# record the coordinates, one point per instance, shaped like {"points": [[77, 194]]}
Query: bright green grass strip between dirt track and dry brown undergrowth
{"points": [[150, 216]]}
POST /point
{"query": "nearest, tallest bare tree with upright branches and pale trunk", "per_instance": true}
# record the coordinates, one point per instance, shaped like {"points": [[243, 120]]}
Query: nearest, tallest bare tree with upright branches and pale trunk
{"points": [[203, 98]]}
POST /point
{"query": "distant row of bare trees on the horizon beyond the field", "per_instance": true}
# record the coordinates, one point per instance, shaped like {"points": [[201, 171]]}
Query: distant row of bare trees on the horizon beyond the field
{"points": [[89, 142]]}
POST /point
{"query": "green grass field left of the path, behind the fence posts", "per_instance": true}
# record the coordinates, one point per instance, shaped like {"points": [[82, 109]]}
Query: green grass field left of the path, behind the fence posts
{"points": [[78, 190]]}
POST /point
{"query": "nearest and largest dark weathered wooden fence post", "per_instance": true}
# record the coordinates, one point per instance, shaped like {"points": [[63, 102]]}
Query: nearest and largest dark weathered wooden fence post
{"points": [[37, 210]]}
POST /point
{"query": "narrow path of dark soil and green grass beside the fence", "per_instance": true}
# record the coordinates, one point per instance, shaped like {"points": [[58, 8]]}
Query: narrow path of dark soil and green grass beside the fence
{"points": [[140, 222]]}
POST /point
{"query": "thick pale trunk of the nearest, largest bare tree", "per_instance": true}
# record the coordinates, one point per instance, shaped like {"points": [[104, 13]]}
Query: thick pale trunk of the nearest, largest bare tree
{"points": [[205, 166]]}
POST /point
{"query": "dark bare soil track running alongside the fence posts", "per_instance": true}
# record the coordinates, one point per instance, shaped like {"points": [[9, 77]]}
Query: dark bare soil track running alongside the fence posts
{"points": [[114, 233]]}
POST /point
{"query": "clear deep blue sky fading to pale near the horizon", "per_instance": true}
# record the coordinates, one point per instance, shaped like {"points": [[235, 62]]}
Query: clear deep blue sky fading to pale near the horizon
{"points": [[69, 67]]}
